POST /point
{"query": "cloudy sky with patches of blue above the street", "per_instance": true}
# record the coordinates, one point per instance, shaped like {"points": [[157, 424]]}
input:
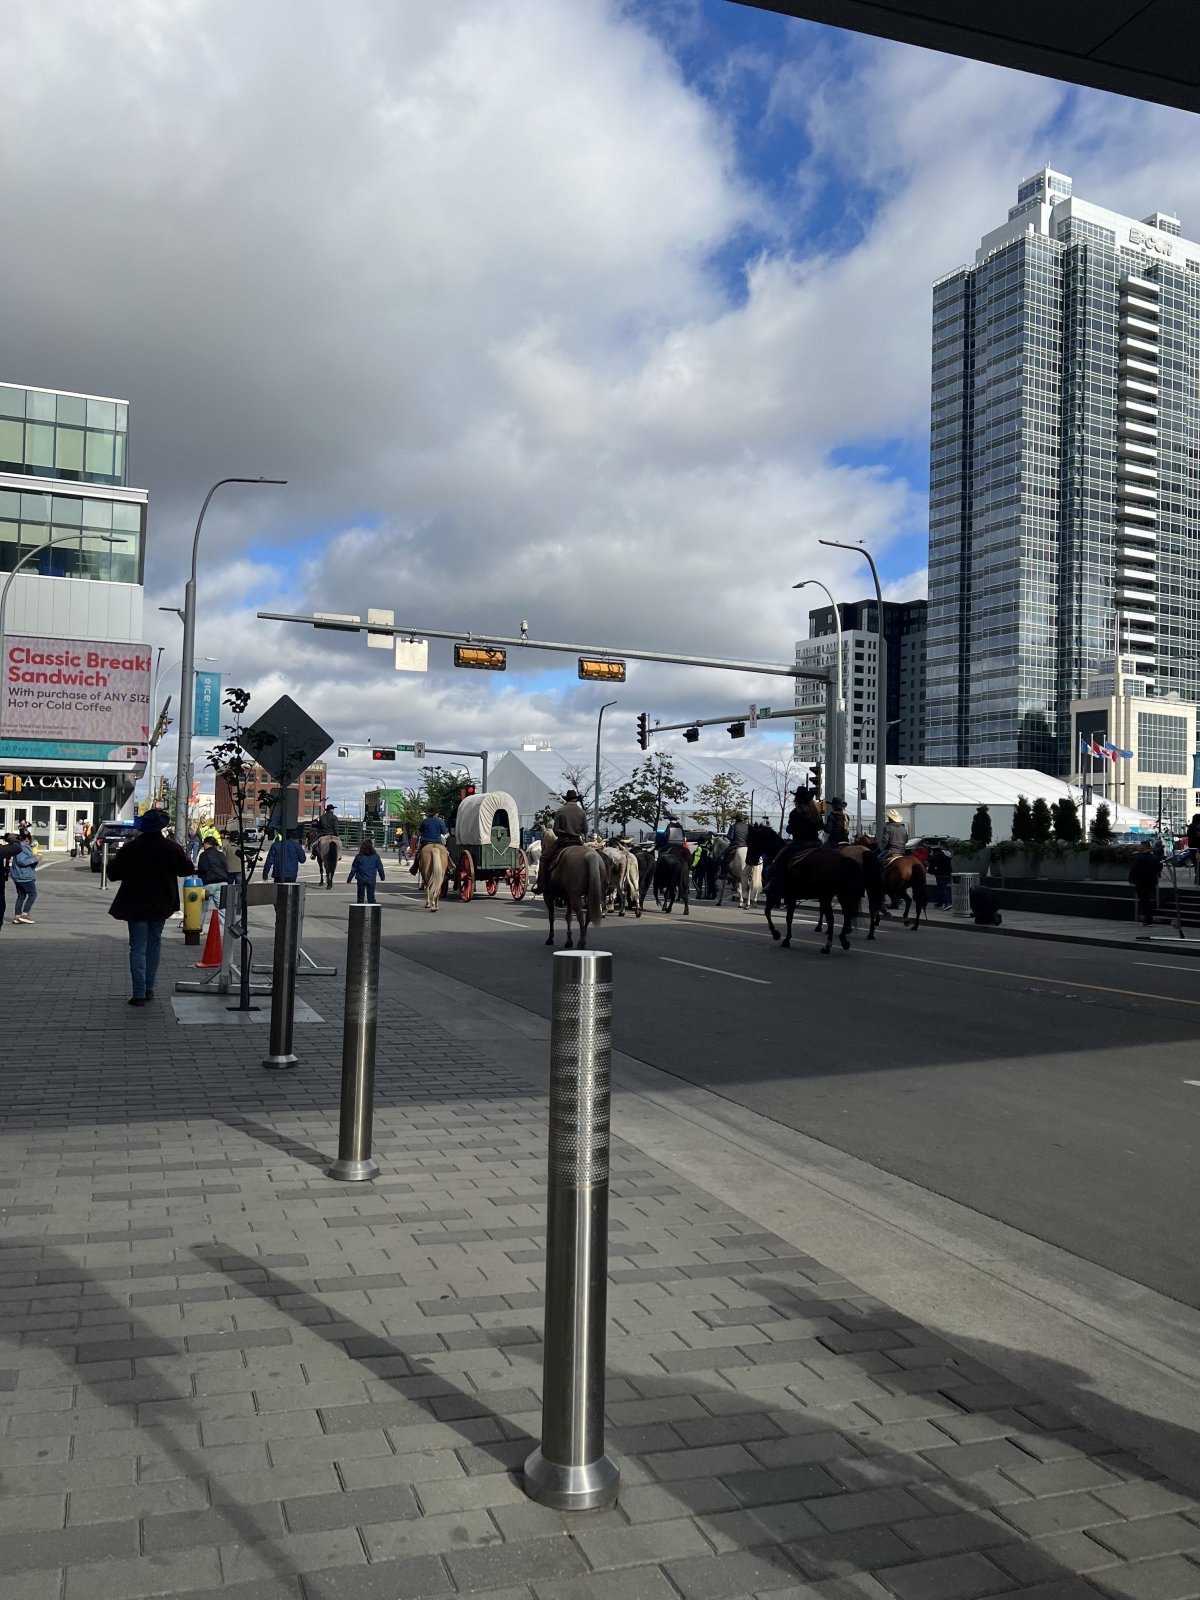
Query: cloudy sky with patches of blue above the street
{"points": [[586, 313]]}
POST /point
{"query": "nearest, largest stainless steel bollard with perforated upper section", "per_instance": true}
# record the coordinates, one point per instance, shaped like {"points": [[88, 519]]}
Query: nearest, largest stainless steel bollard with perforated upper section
{"points": [[570, 1471]]}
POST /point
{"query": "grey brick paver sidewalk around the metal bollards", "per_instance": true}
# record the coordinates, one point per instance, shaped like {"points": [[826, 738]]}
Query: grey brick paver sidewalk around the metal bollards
{"points": [[226, 1375]]}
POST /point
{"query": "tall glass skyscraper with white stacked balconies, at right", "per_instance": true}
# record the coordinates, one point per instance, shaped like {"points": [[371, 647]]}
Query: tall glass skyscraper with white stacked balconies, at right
{"points": [[1065, 476]]}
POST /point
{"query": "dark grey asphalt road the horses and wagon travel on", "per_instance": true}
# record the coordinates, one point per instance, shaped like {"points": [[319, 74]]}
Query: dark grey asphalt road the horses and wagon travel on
{"points": [[1041, 1084]]}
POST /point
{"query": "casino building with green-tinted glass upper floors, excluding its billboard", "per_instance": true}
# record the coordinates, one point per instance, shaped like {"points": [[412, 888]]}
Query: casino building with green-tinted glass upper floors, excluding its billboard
{"points": [[76, 529]]}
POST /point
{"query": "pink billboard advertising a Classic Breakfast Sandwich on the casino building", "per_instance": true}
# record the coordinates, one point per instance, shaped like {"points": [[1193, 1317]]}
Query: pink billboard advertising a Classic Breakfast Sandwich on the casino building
{"points": [[76, 690]]}
